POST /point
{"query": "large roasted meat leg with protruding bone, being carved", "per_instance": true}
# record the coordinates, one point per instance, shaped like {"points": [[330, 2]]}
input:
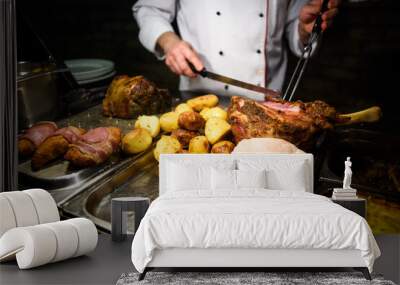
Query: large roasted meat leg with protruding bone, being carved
{"points": [[296, 122]]}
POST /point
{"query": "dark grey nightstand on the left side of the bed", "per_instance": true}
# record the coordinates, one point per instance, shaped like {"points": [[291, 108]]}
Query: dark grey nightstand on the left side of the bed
{"points": [[119, 212]]}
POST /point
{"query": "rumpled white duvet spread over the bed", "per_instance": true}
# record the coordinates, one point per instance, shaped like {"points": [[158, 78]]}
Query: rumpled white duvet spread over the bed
{"points": [[250, 219]]}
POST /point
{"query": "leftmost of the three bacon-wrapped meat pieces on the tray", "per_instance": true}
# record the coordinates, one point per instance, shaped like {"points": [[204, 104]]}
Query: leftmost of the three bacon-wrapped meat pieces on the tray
{"points": [[34, 136]]}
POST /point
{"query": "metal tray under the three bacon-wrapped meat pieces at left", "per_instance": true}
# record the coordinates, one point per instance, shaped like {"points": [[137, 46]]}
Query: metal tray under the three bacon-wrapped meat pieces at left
{"points": [[59, 177]]}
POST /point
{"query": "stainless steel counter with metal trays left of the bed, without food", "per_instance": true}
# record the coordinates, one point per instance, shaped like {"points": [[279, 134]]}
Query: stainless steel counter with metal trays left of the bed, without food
{"points": [[88, 192]]}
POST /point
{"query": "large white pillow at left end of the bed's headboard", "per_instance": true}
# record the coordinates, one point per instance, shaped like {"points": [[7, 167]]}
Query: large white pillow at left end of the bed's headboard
{"points": [[183, 177]]}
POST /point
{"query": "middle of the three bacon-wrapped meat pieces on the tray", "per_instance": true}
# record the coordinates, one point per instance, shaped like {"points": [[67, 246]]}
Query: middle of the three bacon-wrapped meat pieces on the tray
{"points": [[55, 146]]}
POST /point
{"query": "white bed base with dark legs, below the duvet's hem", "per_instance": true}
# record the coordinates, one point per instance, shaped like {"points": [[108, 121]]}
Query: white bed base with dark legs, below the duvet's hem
{"points": [[250, 259]]}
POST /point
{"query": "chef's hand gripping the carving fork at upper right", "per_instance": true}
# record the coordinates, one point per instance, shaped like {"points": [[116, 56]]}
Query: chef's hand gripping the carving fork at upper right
{"points": [[309, 13]]}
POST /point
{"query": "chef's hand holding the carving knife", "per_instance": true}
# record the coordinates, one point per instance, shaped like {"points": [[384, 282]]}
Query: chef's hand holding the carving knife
{"points": [[178, 53]]}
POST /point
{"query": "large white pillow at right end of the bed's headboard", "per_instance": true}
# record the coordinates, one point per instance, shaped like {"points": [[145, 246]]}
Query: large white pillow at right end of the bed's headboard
{"points": [[283, 174]]}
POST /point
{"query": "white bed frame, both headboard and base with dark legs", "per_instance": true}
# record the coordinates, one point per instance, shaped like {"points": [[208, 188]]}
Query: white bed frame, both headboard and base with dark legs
{"points": [[250, 258]]}
